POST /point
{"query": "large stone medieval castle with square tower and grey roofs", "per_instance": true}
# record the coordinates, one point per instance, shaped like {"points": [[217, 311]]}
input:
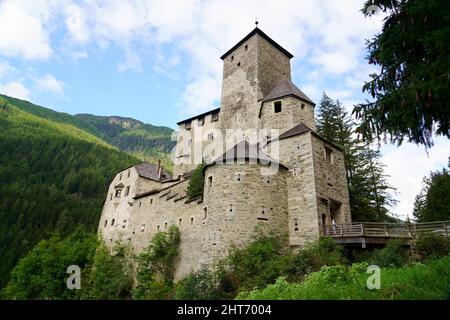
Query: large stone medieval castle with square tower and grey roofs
{"points": [[265, 165]]}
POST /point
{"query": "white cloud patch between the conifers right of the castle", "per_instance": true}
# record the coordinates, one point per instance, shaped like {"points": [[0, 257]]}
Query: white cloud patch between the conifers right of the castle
{"points": [[408, 164]]}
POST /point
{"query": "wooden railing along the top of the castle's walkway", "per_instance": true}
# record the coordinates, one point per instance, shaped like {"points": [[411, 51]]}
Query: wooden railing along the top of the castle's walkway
{"points": [[394, 230]]}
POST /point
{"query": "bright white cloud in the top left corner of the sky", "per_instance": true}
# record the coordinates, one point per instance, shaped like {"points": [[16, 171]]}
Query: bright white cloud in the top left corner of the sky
{"points": [[22, 33]]}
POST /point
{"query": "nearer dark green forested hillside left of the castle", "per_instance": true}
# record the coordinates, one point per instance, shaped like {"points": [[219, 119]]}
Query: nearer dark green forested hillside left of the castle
{"points": [[53, 178]]}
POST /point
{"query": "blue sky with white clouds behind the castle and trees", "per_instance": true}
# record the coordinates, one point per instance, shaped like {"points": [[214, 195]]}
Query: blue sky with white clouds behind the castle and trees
{"points": [[158, 61]]}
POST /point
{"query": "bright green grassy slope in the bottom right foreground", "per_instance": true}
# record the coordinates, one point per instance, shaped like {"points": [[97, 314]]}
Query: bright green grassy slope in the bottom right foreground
{"points": [[418, 281]]}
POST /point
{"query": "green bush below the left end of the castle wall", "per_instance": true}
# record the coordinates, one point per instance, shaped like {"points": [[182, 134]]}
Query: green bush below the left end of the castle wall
{"points": [[110, 277]]}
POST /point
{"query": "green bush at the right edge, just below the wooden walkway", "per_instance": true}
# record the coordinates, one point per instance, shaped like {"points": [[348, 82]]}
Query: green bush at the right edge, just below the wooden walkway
{"points": [[429, 246]]}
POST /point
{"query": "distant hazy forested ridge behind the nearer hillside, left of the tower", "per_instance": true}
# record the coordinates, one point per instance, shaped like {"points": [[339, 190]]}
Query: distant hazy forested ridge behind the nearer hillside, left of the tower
{"points": [[144, 141]]}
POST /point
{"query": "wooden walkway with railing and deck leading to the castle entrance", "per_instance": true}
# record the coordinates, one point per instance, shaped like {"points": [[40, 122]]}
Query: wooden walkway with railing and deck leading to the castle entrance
{"points": [[364, 233]]}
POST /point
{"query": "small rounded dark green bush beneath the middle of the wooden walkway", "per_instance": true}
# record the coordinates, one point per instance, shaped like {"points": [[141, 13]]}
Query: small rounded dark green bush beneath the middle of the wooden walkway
{"points": [[393, 255]]}
